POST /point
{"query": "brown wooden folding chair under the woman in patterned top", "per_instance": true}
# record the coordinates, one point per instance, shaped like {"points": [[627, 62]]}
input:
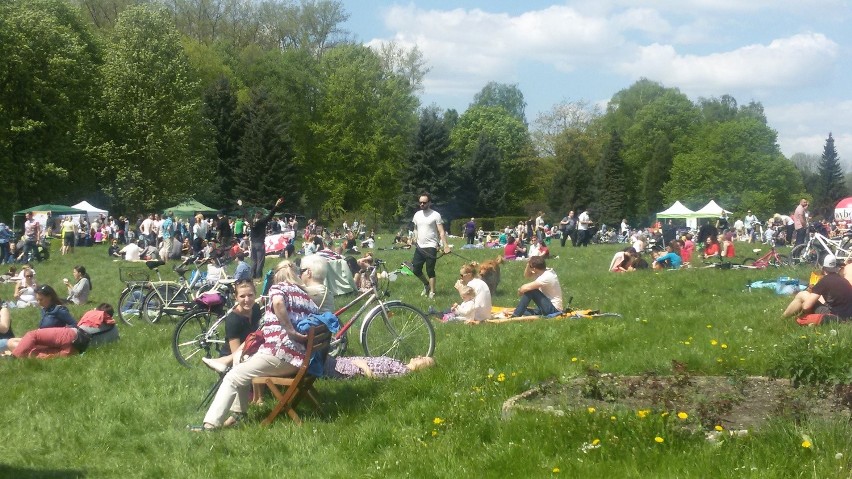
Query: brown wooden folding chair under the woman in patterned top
{"points": [[290, 391]]}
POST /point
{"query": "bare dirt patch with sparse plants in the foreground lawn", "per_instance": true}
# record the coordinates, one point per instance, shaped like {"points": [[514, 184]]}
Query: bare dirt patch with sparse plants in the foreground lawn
{"points": [[735, 403]]}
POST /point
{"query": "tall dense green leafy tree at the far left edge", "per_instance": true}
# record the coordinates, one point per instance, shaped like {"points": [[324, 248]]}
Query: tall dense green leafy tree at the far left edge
{"points": [[49, 74]]}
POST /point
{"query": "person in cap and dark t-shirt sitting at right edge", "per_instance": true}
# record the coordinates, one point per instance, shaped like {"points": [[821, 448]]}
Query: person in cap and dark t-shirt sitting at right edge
{"points": [[832, 294]]}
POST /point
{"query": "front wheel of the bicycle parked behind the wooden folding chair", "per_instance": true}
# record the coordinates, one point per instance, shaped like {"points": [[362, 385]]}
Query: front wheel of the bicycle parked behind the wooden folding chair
{"points": [[403, 333]]}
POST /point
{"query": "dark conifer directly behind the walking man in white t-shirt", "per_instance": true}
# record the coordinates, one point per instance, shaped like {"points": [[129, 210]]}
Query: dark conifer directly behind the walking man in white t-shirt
{"points": [[429, 165]]}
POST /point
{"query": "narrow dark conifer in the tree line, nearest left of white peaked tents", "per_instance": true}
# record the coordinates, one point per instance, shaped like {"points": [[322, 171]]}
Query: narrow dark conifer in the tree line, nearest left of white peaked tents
{"points": [[609, 206]]}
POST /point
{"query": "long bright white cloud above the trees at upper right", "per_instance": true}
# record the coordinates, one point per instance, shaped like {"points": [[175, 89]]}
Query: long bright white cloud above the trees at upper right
{"points": [[796, 61]]}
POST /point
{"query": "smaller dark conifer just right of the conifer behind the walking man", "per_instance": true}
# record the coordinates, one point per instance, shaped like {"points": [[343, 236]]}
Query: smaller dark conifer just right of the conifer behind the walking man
{"points": [[487, 181]]}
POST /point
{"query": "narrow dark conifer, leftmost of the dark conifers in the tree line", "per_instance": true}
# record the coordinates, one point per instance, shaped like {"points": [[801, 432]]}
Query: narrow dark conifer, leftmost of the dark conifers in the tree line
{"points": [[220, 109]]}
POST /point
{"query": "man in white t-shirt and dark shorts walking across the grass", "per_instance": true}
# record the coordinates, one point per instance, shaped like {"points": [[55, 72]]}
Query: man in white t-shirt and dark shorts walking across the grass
{"points": [[429, 235]]}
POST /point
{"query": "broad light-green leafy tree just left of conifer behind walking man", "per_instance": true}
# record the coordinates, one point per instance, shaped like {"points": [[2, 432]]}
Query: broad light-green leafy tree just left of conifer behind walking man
{"points": [[366, 117]]}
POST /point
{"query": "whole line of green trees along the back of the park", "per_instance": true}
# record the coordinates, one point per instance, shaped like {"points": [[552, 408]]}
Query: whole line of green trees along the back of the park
{"points": [[136, 105]]}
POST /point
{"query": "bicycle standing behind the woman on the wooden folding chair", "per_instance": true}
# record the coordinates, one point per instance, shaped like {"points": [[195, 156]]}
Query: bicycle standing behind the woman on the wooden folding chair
{"points": [[390, 328]]}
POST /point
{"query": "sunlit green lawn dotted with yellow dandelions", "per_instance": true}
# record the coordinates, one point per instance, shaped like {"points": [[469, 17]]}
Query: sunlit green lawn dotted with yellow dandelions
{"points": [[121, 410]]}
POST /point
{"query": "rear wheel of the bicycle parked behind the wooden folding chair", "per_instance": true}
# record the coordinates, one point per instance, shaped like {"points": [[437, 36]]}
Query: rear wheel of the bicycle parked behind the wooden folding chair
{"points": [[193, 339]]}
